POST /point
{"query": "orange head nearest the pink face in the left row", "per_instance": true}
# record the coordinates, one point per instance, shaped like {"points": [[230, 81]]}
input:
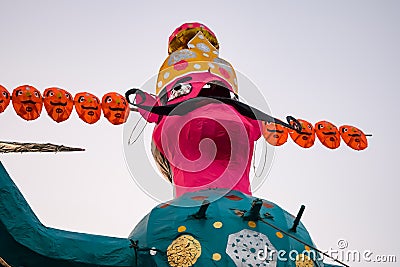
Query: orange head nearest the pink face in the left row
{"points": [[115, 108]]}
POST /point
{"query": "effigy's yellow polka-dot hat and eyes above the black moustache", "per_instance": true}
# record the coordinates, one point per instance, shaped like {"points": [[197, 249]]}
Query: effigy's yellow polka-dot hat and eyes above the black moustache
{"points": [[194, 68]]}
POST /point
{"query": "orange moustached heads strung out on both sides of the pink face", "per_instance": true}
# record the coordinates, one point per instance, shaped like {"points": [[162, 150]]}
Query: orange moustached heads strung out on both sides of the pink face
{"points": [[59, 103]]}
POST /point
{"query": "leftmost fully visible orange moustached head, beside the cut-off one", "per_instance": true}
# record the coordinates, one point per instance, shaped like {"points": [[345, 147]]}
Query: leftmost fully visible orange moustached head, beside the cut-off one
{"points": [[27, 102]]}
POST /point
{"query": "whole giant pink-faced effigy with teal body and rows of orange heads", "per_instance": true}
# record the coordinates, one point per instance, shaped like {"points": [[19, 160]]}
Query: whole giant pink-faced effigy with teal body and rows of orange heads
{"points": [[203, 143]]}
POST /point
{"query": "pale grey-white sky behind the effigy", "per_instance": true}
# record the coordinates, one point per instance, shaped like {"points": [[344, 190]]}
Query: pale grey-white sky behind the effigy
{"points": [[315, 60]]}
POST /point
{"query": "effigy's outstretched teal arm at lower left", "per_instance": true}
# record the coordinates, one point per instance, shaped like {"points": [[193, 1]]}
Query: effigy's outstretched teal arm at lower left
{"points": [[25, 241]]}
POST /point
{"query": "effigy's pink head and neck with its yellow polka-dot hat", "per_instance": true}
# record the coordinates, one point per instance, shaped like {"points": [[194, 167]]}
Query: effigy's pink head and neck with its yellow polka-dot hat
{"points": [[206, 145]]}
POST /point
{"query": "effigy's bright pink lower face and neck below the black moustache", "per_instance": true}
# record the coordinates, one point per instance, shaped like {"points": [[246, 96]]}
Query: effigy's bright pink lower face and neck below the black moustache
{"points": [[209, 147]]}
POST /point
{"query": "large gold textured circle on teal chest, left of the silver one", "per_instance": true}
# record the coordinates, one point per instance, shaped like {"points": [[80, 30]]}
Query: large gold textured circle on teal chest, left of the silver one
{"points": [[183, 251]]}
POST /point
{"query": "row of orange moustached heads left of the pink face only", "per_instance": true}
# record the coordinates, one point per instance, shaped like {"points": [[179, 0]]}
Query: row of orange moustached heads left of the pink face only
{"points": [[59, 103]]}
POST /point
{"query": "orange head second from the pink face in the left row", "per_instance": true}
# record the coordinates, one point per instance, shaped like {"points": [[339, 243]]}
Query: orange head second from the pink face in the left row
{"points": [[88, 107]]}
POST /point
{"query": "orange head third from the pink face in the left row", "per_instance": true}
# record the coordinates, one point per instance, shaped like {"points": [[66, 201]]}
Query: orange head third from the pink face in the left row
{"points": [[58, 103]]}
